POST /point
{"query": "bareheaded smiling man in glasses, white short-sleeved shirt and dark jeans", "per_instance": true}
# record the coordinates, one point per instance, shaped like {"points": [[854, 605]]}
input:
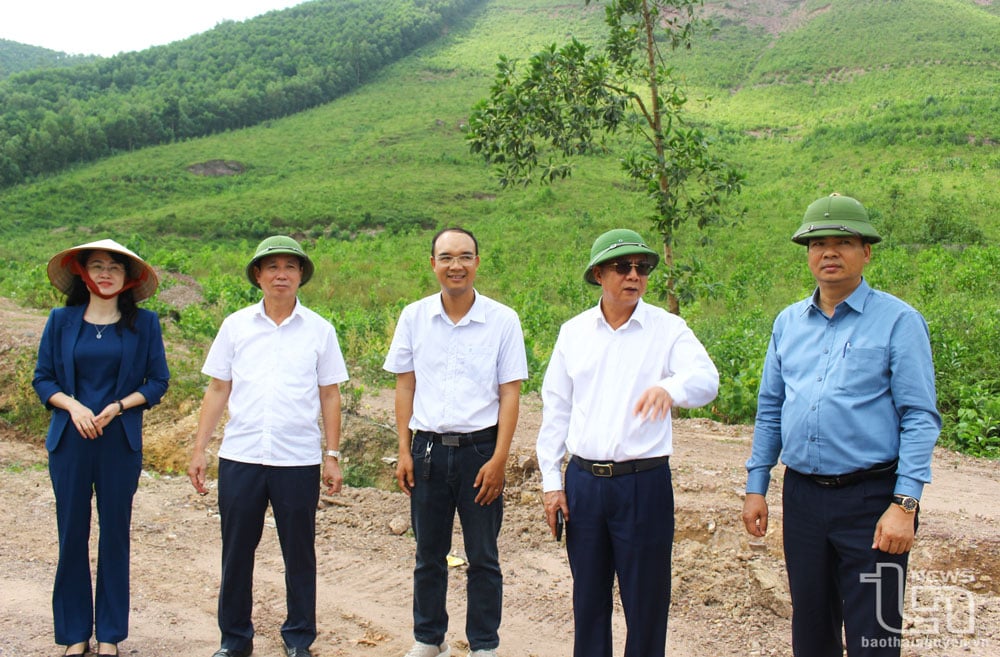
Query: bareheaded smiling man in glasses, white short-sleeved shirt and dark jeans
{"points": [[459, 360]]}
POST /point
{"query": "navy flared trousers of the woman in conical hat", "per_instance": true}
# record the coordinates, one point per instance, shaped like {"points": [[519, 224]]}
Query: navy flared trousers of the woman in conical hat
{"points": [[80, 469]]}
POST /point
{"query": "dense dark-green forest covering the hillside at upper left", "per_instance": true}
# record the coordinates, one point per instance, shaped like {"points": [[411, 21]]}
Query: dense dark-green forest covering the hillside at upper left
{"points": [[233, 76]]}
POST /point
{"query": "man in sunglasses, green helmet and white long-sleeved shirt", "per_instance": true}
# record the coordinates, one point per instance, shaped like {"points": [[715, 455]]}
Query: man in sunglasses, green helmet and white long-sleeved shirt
{"points": [[616, 372]]}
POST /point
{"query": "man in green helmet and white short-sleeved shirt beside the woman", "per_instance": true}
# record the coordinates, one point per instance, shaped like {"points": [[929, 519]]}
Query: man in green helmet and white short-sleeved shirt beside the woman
{"points": [[279, 367]]}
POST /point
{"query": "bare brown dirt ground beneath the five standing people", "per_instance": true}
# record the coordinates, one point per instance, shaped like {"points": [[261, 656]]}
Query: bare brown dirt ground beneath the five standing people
{"points": [[729, 593]]}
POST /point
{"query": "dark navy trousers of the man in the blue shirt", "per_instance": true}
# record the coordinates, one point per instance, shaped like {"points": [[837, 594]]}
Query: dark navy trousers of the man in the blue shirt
{"points": [[839, 584]]}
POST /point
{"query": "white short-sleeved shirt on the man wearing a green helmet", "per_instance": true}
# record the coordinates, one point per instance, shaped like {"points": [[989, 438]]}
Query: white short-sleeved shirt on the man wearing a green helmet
{"points": [[276, 371]]}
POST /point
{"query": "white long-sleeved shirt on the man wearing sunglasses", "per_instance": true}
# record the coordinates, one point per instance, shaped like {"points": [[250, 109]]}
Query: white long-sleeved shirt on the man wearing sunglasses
{"points": [[596, 376]]}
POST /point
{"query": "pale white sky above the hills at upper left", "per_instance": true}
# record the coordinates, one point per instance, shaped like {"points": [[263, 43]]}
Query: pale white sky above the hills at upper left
{"points": [[108, 27]]}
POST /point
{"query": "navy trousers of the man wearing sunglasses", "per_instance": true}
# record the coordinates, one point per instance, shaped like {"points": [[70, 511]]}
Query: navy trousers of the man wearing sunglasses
{"points": [[622, 526]]}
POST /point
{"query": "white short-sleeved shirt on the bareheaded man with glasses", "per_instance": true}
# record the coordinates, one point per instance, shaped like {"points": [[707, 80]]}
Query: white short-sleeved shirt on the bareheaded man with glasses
{"points": [[458, 367]]}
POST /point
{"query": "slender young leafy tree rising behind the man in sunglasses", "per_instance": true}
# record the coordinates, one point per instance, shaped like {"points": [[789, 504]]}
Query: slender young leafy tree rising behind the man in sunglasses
{"points": [[570, 101]]}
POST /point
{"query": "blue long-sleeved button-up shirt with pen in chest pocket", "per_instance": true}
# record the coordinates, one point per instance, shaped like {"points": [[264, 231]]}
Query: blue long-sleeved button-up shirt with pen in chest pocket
{"points": [[844, 393]]}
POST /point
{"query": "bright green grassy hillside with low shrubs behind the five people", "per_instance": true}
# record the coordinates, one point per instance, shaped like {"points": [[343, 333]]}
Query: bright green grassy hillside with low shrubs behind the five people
{"points": [[893, 102]]}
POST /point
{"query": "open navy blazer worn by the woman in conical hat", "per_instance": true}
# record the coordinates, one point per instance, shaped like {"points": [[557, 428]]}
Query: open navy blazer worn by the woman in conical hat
{"points": [[143, 369]]}
